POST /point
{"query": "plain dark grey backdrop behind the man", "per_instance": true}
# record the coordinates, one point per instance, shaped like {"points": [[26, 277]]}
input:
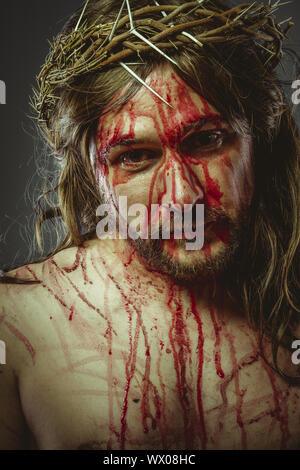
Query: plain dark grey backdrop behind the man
{"points": [[25, 28]]}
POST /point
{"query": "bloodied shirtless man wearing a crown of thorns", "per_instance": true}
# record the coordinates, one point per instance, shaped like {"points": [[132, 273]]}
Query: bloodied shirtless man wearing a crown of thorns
{"points": [[128, 343]]}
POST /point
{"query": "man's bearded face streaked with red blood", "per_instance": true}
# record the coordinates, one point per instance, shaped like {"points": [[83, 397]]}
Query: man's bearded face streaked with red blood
{"points": [[185, 154]]}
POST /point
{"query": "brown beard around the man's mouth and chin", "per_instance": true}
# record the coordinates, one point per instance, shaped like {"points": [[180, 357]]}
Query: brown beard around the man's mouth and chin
{"points": [[207, 264]]}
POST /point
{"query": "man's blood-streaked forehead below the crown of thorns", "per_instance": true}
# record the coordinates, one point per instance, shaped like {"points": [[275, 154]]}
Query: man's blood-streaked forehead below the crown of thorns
{"points": [[145, 112]]}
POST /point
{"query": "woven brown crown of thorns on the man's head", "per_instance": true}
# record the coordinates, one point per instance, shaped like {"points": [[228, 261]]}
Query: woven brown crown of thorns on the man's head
{"points": [[88, 48]]}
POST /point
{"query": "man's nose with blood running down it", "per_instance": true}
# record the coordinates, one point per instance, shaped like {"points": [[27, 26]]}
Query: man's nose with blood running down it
{"points": [[179, 183]]}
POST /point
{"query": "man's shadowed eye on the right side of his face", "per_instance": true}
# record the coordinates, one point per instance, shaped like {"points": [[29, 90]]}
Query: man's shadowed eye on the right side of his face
{"points": [[206, 141]]}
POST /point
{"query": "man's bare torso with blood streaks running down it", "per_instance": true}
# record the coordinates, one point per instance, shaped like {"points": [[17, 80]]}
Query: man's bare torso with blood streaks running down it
{"points": [[110, 358]]}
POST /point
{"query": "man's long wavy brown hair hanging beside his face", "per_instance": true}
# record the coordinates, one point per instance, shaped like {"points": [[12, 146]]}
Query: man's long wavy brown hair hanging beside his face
{"points": [[232, 76]]}
